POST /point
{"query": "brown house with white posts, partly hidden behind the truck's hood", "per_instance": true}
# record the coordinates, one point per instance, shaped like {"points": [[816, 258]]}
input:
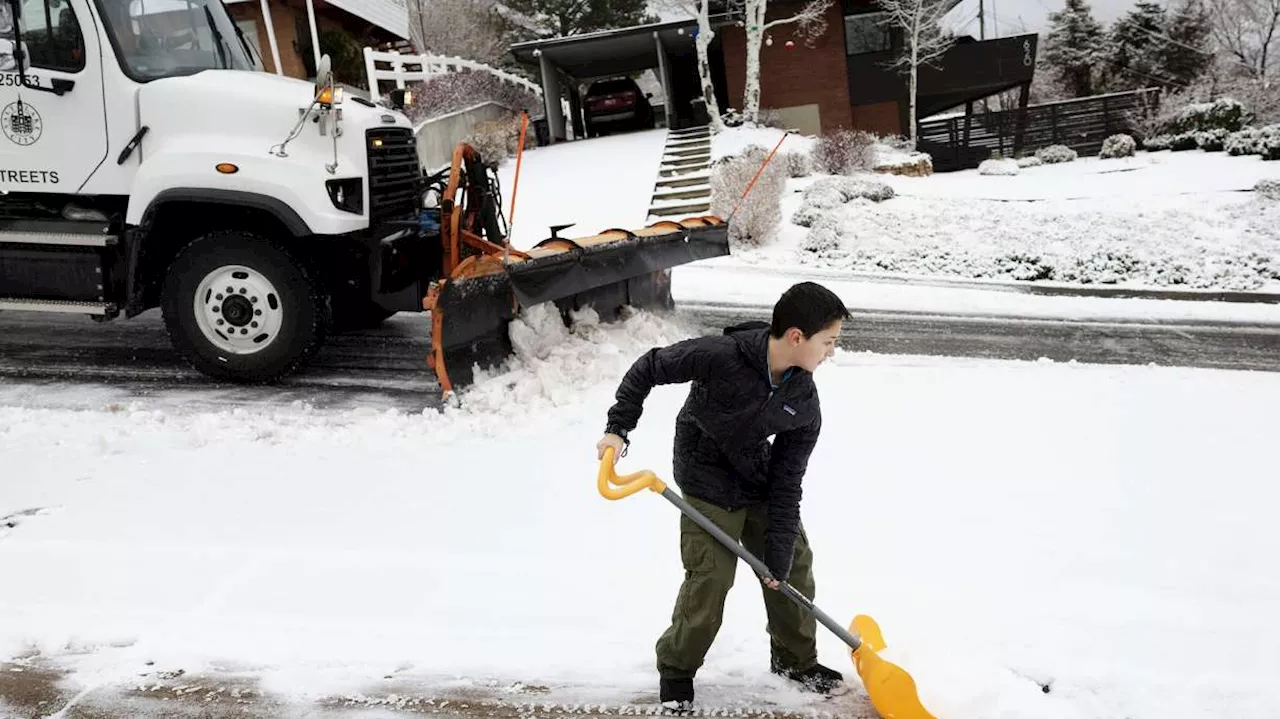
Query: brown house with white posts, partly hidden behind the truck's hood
{"points": [[356, 24]]}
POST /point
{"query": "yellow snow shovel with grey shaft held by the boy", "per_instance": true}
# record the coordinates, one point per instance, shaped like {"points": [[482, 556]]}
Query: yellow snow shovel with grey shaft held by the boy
{"points": [[890, 688]]}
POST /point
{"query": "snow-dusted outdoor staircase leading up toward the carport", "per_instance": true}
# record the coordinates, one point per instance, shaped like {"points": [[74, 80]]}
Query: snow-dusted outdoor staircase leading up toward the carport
{"points": [[684, 176]]}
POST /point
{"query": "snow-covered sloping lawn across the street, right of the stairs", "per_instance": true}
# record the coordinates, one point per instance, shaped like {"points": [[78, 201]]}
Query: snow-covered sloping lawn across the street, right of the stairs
{"points": [[1167, 219]]}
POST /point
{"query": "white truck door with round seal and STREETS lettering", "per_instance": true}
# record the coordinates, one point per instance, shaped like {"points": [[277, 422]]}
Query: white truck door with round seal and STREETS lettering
{"points": [[52, 143]]}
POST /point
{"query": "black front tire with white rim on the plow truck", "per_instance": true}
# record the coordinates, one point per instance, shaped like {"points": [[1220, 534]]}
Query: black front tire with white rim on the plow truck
{"points": [[243, 309]]}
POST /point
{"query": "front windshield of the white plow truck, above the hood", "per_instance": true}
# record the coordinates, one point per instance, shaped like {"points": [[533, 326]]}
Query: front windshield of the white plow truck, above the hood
{"points": [[157, 39]]}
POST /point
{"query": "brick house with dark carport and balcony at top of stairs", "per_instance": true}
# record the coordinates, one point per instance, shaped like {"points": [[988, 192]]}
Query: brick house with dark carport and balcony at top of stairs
{"points": [[839, 81]]}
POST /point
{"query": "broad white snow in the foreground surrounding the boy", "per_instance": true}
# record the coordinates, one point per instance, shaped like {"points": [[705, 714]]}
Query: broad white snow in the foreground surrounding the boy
{"points": [[1114, 541]]}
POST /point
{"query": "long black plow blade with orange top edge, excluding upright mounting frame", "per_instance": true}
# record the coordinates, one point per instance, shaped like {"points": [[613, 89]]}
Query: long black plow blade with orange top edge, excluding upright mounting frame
{"points": [[612, 271]]}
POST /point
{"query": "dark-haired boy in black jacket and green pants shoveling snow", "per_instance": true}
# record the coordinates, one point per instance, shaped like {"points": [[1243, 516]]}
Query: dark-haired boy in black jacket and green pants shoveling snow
{"points": [[751, 384]]}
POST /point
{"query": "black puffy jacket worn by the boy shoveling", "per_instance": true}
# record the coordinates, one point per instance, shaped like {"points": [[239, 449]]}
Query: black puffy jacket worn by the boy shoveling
{"points": [[723, 454]]}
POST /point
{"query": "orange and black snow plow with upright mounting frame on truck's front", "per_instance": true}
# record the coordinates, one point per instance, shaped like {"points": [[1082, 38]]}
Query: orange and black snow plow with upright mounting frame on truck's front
{"points": [[484, 283]]}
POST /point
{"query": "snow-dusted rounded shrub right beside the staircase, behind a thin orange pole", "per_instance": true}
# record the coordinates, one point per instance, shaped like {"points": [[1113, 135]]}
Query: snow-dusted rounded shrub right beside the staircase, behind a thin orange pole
{"points": [[760, 216]]}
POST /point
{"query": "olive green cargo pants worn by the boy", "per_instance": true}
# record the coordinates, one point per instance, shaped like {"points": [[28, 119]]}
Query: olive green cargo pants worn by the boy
{"points": [[710, 570]]}
